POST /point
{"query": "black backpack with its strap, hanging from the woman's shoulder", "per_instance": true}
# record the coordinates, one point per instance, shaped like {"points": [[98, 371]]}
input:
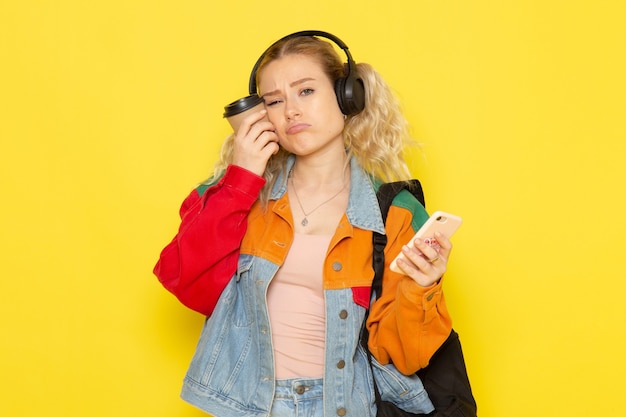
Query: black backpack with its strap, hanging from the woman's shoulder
{"points": [[445, 378]]}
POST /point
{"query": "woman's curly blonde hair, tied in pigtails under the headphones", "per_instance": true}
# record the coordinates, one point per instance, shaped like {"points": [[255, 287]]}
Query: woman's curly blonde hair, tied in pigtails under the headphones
{"points": [[378, 136]]}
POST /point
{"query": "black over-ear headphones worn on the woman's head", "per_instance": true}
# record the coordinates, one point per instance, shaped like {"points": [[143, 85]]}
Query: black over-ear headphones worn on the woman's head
{"points": [[349, 90]]}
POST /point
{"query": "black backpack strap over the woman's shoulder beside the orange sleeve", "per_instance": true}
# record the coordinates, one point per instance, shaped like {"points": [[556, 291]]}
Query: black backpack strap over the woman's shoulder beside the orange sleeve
{"points": [[386, 193]]}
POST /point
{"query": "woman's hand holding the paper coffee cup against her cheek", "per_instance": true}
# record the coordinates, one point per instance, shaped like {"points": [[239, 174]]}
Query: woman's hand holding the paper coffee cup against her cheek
{"points": [[255, 142]]}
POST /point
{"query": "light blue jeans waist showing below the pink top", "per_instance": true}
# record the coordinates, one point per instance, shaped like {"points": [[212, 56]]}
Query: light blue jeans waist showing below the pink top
{"points": [[298, 397]]}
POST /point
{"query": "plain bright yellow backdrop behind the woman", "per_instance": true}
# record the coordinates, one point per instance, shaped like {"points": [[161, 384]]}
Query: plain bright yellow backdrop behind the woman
{"points": [[111, 112]]}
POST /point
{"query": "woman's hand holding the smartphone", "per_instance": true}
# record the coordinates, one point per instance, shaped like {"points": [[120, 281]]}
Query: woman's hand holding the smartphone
{"points": [[426, 262]]}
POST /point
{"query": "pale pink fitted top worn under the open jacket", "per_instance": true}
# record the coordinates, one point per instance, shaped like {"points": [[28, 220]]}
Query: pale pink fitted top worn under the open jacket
{"points": [[295, 300]]}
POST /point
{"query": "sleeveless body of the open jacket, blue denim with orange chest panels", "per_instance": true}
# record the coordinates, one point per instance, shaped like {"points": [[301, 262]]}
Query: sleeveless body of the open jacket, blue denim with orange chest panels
{"points": [[232, 371]]}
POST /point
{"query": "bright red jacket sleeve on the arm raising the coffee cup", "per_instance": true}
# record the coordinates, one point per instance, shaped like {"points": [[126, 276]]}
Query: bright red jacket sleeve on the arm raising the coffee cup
{"points": [[198, 263]]}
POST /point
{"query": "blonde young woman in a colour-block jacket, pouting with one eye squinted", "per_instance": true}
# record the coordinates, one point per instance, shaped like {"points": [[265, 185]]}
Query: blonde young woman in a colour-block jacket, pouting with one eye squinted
{"points": [[276, 251]]}
